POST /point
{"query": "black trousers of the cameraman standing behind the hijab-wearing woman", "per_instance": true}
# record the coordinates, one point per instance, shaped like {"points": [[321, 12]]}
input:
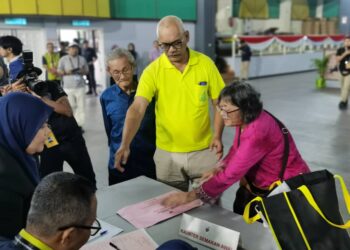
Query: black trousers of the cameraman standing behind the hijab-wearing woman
{"points": [[74, 152]]}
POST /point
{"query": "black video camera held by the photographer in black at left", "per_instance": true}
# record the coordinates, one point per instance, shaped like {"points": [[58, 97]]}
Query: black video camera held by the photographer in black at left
{"points": [[30, 75]]}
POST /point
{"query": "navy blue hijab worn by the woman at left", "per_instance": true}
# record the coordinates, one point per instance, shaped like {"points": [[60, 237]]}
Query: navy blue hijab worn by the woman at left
{"points": [[21, 116]]}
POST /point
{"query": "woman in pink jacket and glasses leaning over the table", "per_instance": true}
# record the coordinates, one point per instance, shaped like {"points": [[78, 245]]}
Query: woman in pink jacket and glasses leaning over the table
{"points": [[256, 156]]}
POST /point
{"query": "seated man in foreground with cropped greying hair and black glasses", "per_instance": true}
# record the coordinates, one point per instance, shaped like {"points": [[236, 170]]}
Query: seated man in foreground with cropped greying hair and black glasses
{"points": [[64, 227]]}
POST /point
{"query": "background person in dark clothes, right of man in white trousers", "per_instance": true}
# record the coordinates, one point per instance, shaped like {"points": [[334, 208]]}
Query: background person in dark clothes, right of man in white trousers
{"points": [[90, 56]]}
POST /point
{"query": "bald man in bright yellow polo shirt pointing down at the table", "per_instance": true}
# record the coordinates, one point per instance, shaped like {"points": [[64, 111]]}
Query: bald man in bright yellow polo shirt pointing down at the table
{"points": [[183, 82]]}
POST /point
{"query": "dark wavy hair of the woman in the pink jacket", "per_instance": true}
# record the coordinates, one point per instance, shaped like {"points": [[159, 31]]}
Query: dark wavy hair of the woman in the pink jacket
{"points": [[245, 97]]}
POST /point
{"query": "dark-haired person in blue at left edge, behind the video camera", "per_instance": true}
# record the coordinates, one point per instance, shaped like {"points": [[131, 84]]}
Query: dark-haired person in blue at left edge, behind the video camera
{"points": [[11, 48]]}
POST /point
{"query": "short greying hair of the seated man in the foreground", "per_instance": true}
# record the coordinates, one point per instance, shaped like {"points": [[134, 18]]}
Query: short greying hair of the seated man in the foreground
{"points": [[61, 199]]}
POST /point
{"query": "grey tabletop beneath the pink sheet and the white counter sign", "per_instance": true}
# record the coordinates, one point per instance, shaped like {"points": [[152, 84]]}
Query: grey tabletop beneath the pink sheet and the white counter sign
{"points": [[112, 198]]}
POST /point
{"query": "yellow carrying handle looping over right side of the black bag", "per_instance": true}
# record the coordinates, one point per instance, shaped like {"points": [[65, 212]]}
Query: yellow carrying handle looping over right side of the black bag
{"points": [[306, 192]]}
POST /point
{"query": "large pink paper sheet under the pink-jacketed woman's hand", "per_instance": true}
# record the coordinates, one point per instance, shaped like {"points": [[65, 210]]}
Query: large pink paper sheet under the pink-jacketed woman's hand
{"points": [[150, 212]]}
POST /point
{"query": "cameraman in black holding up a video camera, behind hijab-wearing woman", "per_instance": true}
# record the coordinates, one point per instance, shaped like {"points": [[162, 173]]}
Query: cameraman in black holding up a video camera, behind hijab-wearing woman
{"points": [[66, 142]]}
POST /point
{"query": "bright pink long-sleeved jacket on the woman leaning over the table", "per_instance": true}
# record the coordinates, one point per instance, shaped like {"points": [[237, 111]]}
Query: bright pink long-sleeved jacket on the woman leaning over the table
{"points": [[258, 156]]}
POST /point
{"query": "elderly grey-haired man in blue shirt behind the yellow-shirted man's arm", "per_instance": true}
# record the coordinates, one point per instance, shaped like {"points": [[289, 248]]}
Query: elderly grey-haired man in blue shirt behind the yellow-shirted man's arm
{"points": [[115, 102]]}
